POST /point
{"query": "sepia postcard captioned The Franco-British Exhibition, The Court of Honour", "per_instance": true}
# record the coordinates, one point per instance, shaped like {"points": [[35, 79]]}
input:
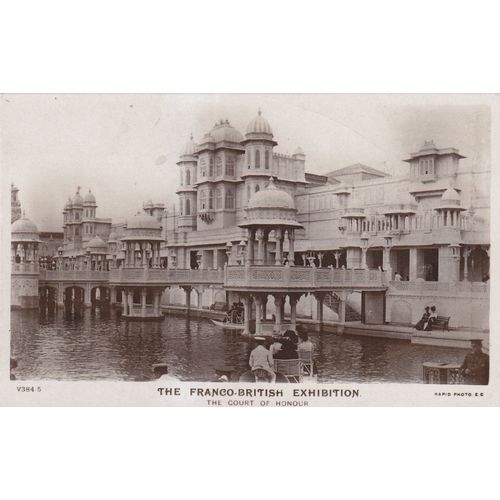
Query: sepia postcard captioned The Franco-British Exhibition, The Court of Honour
{"points": [[247, 250]]}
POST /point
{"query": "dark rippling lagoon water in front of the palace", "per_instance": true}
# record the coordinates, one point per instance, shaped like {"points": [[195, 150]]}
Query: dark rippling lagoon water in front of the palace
{"points": [[98, 345]]}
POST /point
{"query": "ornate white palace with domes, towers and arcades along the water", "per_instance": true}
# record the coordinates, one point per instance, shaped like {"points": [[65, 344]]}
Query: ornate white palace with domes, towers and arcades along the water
{"points": [[355, 244]]}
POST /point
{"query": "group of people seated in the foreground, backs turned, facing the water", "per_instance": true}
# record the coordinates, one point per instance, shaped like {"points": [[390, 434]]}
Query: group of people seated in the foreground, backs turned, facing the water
{"points": [[287, 346]]}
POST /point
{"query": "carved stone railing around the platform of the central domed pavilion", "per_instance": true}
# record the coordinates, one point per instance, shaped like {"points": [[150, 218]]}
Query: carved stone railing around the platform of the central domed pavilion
{"points": [[297, 277]]}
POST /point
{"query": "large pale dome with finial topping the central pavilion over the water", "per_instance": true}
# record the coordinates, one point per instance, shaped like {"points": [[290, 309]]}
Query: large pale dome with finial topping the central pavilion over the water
{"points": [[271, 207]]}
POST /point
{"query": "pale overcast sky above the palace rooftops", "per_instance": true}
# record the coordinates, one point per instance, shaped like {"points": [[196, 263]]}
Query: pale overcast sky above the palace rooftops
{"points": [[125, 147]]}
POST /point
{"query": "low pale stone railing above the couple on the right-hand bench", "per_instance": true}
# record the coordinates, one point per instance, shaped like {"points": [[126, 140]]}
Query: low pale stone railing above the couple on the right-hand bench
{"points": [[431, 287]]}
